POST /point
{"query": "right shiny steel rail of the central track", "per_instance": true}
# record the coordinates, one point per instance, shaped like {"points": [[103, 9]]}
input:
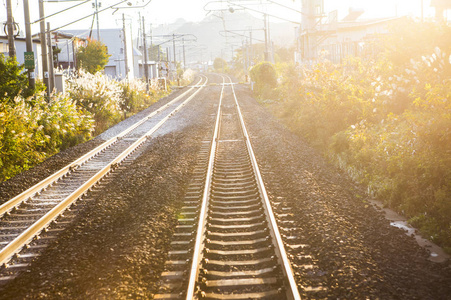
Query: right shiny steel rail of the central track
{"points": [[286, 266]]}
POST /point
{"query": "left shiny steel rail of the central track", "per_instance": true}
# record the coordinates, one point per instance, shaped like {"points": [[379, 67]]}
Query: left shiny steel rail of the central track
{"points": [[195, 262]]}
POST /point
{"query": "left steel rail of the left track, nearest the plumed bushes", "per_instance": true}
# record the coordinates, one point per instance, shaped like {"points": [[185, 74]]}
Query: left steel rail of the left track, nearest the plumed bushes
{"points": [[17, 200]]}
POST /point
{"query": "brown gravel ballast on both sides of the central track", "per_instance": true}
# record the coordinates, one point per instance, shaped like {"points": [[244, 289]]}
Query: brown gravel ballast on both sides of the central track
{"points": [[117, 245]]}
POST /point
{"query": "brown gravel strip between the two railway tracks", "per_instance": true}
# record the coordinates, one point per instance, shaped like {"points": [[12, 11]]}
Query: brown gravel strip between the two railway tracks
{"points": [[116, 246]]}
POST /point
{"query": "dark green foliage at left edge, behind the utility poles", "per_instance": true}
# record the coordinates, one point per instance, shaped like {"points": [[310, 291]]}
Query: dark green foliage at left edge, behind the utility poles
{"points": [[13, 80]]}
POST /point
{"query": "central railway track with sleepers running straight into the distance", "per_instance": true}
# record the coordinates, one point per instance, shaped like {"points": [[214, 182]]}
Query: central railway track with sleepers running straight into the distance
{"points": [[227, 244]]}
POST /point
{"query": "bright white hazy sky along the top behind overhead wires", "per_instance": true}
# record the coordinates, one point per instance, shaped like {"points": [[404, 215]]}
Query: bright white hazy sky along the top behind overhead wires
{"points": [[167, 11]]}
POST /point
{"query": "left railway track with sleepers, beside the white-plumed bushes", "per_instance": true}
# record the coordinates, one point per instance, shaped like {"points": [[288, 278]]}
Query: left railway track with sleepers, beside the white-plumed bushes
{"points": [[25, 216]]}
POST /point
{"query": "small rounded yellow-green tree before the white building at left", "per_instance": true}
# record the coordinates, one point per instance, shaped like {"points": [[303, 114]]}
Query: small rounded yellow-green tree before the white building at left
{"points": [[93, 57]]}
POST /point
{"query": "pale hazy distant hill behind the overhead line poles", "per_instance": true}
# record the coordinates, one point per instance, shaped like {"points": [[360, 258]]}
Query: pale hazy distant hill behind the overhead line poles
{"points": [[212, 38]]}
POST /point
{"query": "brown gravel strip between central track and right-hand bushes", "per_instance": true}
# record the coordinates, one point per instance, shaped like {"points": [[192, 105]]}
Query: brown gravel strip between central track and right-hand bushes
{"points": [[359, 252]]}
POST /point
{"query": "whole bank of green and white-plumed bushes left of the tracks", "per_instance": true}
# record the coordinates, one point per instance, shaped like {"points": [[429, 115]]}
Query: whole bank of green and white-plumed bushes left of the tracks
{"points": [[35, 128]]}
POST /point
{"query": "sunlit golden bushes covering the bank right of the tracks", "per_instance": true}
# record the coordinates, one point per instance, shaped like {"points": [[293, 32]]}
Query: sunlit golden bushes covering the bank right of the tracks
{"points": [[386, 121]]}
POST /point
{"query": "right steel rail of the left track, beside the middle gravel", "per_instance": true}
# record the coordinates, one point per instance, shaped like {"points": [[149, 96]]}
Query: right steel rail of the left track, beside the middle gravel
{"points": [[16, 245]]}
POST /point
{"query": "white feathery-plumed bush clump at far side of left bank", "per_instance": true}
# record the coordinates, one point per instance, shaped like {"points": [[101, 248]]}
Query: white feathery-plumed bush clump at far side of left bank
{"points": [[98, 96]]}
